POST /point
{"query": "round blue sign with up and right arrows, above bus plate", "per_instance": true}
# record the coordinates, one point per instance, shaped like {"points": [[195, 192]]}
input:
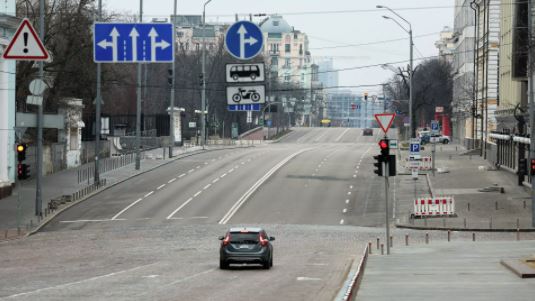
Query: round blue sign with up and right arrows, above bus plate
{"points": [[244, 40]]}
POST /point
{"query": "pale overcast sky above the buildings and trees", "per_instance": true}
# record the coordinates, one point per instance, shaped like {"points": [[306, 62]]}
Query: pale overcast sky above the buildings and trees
{"points": [[331, 23]]}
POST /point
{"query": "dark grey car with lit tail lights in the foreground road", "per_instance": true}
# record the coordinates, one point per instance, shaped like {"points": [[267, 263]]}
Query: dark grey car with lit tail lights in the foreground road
{"points": [[246, 245]]}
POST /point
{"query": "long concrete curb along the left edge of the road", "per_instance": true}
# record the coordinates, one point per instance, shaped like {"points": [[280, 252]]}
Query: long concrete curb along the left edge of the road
{"points": [[50, 217]]}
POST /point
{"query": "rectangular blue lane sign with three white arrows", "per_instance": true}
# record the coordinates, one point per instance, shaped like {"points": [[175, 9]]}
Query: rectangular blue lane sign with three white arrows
{"points": [[133, 42]]}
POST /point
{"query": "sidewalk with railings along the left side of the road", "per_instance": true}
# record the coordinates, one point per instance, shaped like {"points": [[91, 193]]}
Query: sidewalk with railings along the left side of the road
{"points": [[18, 210]]}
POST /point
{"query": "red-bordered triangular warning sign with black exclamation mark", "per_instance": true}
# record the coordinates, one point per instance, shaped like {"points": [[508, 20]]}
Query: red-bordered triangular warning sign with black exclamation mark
{"points": [[26, 45]]}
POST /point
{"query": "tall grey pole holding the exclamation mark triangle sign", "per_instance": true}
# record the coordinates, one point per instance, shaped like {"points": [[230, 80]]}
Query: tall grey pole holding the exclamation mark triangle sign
{"points": [[39, 177]]}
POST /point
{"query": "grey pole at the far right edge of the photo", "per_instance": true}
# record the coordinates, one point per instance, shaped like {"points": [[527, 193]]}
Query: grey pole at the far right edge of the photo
{"points": [[531, 75]]}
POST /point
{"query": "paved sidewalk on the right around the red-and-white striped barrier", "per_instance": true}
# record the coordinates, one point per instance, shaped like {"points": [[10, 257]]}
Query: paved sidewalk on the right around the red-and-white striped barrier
{"points": [[466, 179]]}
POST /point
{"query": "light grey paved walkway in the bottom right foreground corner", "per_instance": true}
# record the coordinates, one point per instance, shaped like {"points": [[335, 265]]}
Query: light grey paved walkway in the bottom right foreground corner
{"points": [[462, 270]]}
